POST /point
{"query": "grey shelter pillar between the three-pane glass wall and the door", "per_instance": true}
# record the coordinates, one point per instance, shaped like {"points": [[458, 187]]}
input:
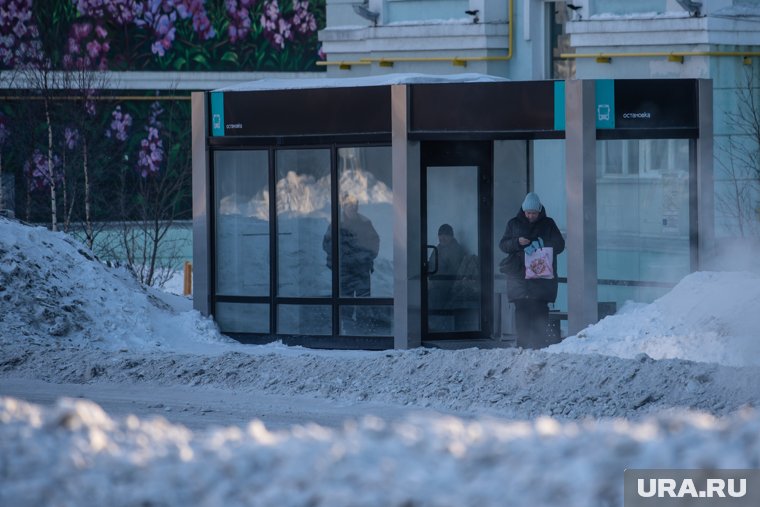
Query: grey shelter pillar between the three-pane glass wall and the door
{"points": [[407, 265]]}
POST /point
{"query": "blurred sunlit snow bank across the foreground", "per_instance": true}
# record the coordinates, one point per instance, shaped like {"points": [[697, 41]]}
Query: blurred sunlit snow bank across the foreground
{"points": [[75, 454]]}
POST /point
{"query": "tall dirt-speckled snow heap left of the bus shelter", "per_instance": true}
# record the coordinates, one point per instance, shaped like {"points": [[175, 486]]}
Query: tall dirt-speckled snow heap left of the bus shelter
{"points": [[52, 289]]}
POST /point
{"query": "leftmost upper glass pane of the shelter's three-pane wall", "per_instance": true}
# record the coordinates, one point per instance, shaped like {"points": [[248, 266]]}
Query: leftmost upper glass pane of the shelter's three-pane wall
{"points": [[241, 200]]}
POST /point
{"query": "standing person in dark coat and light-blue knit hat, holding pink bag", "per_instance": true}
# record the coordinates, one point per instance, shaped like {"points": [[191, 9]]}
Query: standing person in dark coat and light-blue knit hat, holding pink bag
{"points": [[530, 297]]}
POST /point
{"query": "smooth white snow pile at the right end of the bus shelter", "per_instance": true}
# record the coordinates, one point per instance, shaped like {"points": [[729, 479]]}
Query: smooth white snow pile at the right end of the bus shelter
{"points": [[708, 316]]}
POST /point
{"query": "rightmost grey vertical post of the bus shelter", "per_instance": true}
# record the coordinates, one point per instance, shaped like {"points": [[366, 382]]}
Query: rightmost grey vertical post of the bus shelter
{"points": [[702, 193]]}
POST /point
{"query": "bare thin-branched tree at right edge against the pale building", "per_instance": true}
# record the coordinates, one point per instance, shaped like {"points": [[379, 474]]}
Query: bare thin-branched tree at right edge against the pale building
{"points": [[739, 157]]}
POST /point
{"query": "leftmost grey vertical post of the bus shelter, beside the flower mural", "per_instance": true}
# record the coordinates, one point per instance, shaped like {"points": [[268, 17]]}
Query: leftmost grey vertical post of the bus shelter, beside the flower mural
{"points": [[201, 232]]}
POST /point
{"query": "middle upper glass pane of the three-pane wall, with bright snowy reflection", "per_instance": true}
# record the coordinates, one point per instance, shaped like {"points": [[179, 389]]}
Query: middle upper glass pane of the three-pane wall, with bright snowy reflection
{"points": [[303, 213]]}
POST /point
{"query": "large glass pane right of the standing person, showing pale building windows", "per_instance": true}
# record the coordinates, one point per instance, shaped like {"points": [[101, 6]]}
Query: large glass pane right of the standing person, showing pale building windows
{"points": [[642, 216]]}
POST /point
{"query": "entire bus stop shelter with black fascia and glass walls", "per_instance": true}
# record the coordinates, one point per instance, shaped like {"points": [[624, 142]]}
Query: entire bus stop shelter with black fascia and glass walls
{"points": [[623, 166]]}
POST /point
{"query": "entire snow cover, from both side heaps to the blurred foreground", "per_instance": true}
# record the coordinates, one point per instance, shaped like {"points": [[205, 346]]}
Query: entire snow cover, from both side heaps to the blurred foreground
{"points": [[186, 416]]}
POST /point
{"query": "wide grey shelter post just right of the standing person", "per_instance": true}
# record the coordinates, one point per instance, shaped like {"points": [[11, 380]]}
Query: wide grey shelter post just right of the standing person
{"points": [[580, 158]]}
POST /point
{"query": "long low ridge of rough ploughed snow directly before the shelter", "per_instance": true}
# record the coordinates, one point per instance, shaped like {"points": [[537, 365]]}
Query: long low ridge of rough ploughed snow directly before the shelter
{"points": [[506, 382]]}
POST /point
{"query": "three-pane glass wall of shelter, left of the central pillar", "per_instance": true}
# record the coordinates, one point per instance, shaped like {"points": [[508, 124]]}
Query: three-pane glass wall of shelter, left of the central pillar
{"points": [[303, 203]]}
